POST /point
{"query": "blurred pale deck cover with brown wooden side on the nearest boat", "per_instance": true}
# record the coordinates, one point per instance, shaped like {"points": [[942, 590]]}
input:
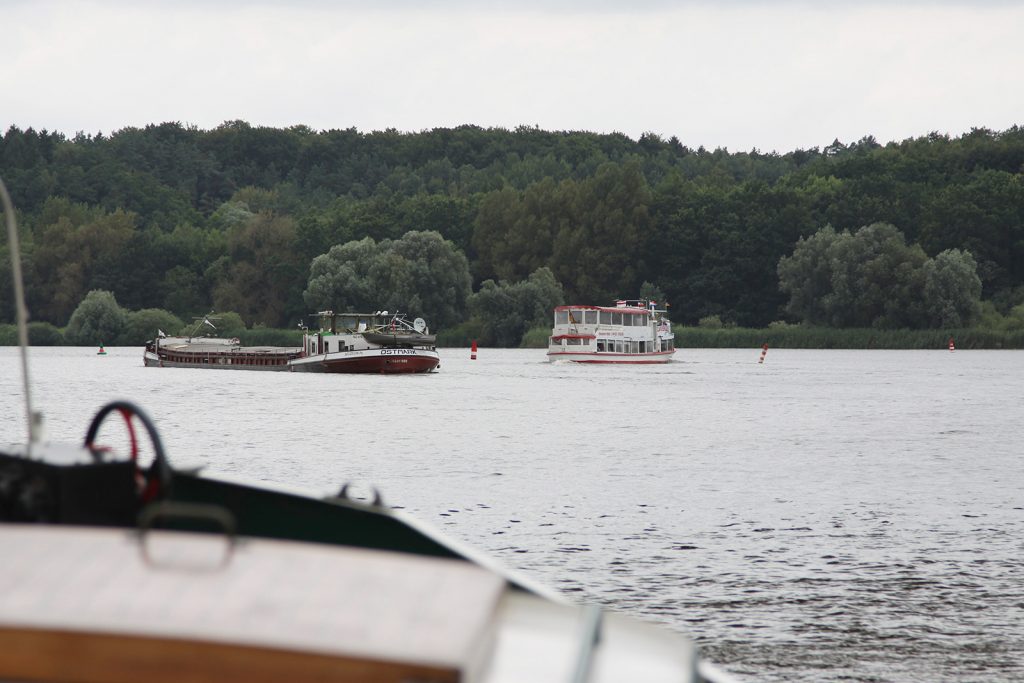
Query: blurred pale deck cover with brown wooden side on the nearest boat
{"points": [[110, 606]]}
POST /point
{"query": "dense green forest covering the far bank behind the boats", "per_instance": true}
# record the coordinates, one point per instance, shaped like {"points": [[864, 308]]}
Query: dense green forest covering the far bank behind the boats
{"points": [[272, 224]]}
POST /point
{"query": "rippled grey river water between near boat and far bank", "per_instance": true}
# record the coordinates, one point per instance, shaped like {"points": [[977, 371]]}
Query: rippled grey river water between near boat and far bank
{"points": [[822, 517]]}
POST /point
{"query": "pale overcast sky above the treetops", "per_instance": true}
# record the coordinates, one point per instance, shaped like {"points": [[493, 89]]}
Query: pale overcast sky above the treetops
{"points": [[736, 74]]}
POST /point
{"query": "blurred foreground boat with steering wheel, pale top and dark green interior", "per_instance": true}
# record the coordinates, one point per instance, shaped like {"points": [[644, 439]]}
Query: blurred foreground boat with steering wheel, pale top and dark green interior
{"points": [[242, 582]]}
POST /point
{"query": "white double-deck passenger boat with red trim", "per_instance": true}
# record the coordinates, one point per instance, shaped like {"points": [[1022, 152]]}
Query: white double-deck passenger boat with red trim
{"points": [[632, 331]]}
